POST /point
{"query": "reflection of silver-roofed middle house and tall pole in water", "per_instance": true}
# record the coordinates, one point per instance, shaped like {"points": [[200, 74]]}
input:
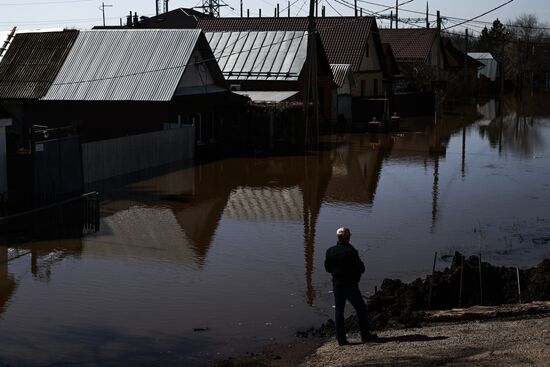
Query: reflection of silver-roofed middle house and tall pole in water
{"points": [[286, 189]]}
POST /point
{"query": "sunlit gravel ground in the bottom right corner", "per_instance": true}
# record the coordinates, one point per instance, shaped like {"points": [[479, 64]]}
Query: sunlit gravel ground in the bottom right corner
{"points": [[520, 342]]}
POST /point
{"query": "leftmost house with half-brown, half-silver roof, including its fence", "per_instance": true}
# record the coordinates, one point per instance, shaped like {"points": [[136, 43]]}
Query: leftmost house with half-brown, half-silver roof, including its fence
{"points": [[134, 98]]}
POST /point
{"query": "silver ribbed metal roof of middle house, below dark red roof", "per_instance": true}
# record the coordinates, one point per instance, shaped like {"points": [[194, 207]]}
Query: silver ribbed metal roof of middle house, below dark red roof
{"points": [[259, 55]]}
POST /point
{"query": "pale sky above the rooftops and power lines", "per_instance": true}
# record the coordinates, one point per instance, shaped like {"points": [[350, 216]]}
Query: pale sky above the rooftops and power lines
{"points": [[82, 14]]}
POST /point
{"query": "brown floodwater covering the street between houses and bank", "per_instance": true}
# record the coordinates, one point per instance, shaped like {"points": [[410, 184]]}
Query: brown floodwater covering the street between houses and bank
{"points": [[200, 263]]}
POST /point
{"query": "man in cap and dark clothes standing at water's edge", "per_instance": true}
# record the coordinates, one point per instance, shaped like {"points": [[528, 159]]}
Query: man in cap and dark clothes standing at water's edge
{"points": [[343, 262]]}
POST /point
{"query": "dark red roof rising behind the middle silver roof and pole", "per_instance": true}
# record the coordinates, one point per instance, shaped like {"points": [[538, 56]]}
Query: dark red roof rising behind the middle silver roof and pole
{"points": [[344, 38]]}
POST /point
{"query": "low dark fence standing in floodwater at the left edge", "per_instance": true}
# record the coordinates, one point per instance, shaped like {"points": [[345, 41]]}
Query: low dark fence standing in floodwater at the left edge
{"points": [[68, 218]]}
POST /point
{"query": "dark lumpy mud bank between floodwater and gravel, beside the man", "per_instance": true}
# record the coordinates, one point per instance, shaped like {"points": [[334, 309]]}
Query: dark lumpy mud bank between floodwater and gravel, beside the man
{"points": [[398, 304]]}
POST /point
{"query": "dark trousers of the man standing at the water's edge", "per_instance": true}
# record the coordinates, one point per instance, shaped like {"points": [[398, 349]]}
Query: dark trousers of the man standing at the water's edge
{"points": [[351, 293]]}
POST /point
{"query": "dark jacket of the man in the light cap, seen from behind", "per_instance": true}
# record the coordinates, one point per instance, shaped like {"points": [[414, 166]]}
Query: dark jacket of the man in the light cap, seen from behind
{"points": [[343, 262]]}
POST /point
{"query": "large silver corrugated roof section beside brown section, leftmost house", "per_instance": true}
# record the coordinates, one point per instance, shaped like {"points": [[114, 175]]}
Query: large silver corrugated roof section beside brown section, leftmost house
{"points": [[125, 65]]}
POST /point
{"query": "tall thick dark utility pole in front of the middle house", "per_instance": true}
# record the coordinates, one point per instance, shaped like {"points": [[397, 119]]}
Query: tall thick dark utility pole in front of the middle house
{"points": [[310, 91]]}
